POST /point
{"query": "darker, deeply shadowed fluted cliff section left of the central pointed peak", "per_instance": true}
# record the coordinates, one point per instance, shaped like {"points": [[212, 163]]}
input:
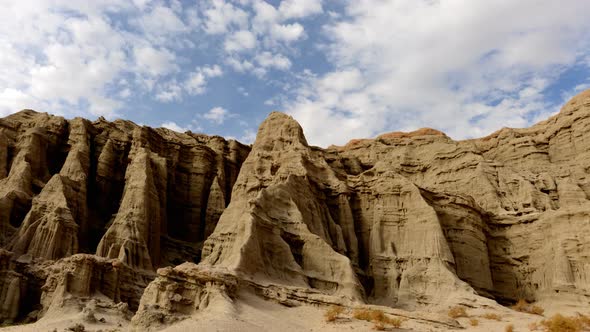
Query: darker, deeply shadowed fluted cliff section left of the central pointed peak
{"points": [[136, 196]]}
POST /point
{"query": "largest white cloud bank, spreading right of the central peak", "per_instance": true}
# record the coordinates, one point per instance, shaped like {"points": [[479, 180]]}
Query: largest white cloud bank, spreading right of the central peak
{"points": [[452, 65]]}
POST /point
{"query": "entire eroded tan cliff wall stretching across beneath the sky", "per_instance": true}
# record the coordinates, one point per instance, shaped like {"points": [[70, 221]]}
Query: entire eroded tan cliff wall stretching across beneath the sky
{"points": [[405, 220]]}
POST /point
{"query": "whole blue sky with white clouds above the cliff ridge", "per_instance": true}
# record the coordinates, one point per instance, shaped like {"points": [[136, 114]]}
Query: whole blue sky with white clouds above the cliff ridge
{"points": [[343, 69]]}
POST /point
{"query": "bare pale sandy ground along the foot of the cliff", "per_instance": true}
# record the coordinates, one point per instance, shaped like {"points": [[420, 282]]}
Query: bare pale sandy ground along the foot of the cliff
{"points": [[254, 314]]}
